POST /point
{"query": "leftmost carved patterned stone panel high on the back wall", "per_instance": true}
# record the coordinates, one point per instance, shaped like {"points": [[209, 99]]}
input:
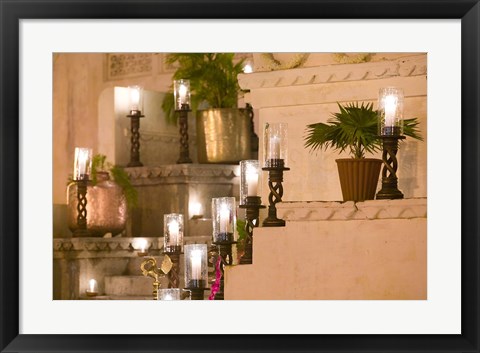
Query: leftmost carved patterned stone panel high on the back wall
{"points": [[129, 65]]}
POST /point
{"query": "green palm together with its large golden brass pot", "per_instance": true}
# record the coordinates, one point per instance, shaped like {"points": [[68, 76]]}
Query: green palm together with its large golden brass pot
{"points": [[223, 130]]}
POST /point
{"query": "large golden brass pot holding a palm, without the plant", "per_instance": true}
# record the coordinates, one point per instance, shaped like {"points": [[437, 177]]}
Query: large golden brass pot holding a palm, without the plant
{"points": [[223, 135]]}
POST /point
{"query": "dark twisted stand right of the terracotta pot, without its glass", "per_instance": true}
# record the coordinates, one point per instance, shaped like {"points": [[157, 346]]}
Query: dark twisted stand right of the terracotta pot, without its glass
{"points": [[389, 188]]}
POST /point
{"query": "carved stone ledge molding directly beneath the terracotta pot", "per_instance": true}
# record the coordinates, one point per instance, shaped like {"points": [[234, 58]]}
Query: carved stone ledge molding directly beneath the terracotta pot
{"points": [[344, 211]]}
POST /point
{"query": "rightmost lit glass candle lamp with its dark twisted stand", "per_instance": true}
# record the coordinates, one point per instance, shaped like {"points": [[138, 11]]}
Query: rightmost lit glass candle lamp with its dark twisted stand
{"points": [[390, 129]]}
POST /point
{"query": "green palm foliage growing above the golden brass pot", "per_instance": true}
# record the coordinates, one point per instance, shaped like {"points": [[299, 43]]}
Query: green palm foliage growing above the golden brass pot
{"points": [[213, 80]]}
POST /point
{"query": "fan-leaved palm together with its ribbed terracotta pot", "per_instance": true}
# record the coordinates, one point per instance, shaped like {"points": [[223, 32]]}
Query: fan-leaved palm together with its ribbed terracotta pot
{"points": [[354, 129]]}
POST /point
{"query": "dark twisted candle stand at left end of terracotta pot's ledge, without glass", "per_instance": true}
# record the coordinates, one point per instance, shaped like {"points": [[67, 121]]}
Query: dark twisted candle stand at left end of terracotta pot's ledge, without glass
{"points": [[275, 169]]}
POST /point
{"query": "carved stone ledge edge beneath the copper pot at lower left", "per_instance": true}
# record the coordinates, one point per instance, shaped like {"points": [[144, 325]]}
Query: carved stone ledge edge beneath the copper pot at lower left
{"points": [[115, 247]]}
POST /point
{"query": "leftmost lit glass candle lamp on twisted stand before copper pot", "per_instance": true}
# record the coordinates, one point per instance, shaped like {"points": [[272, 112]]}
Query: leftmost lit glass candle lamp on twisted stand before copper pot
{"points": [[81, 174]]}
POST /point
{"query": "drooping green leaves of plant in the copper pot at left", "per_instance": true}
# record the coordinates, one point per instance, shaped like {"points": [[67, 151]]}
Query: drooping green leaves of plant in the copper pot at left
{"points": [[117, 174]]}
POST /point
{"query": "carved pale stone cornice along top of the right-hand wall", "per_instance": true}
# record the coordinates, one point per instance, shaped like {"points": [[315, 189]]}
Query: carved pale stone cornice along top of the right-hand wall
{"points": [[410, 66]]}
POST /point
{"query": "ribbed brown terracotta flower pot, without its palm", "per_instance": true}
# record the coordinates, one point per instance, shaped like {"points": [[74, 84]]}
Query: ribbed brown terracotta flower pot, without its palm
{"points": [[359, 178]]}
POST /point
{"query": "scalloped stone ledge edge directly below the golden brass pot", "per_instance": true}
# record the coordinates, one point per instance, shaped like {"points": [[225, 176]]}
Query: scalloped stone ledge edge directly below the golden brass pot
{"points": [[214, 173]]}
